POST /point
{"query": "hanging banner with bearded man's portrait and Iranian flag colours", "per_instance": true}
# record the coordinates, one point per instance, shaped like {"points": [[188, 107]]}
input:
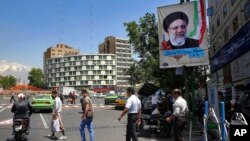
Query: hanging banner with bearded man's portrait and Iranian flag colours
{"points": [[182, 35]]}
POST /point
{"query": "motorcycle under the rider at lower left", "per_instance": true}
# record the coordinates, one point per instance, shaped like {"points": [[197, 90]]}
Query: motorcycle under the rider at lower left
{"points": [[20, 129]]}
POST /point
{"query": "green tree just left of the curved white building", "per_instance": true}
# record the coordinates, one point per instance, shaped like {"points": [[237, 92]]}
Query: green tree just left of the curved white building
{"points": [[36, 78]]}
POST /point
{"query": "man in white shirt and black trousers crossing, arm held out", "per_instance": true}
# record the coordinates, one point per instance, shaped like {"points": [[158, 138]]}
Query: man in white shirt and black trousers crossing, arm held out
{"points": [[133, 108]]}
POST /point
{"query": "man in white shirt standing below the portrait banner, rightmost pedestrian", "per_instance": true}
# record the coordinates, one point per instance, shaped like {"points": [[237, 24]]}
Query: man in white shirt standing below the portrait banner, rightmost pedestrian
{"points": [[179, 118]]}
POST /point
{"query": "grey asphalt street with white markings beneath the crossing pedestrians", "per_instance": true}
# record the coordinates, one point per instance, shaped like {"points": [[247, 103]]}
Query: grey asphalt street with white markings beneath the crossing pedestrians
{"points": [[106, 124]]}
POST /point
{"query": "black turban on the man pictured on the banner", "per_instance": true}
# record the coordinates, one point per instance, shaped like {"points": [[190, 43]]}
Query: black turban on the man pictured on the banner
{"points": [[172, 17]]}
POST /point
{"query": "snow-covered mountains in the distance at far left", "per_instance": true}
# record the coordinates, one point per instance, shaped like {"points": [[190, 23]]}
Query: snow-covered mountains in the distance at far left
{"points": [[19, 71]]}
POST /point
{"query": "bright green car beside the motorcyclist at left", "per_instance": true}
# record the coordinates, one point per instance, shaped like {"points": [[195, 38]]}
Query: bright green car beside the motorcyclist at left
{"points": [[42, 102]]}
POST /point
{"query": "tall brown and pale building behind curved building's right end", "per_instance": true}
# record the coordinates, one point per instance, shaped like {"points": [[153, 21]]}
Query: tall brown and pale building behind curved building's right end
{"points": [[122, 49]]}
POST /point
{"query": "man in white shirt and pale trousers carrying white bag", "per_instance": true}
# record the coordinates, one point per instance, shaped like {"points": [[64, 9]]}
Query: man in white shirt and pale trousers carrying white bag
{"points": [[57, 109]]}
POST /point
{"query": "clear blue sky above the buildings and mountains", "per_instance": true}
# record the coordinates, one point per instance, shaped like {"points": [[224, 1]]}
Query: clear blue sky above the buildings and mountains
{"points": [[29, 27]]}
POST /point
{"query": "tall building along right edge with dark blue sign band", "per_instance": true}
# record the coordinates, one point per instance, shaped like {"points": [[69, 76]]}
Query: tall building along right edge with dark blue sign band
{"points": [[229, 23]]}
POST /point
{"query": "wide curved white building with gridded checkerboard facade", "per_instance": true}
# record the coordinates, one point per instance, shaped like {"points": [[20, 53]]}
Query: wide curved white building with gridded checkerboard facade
{"points": [[82, 71]]}
